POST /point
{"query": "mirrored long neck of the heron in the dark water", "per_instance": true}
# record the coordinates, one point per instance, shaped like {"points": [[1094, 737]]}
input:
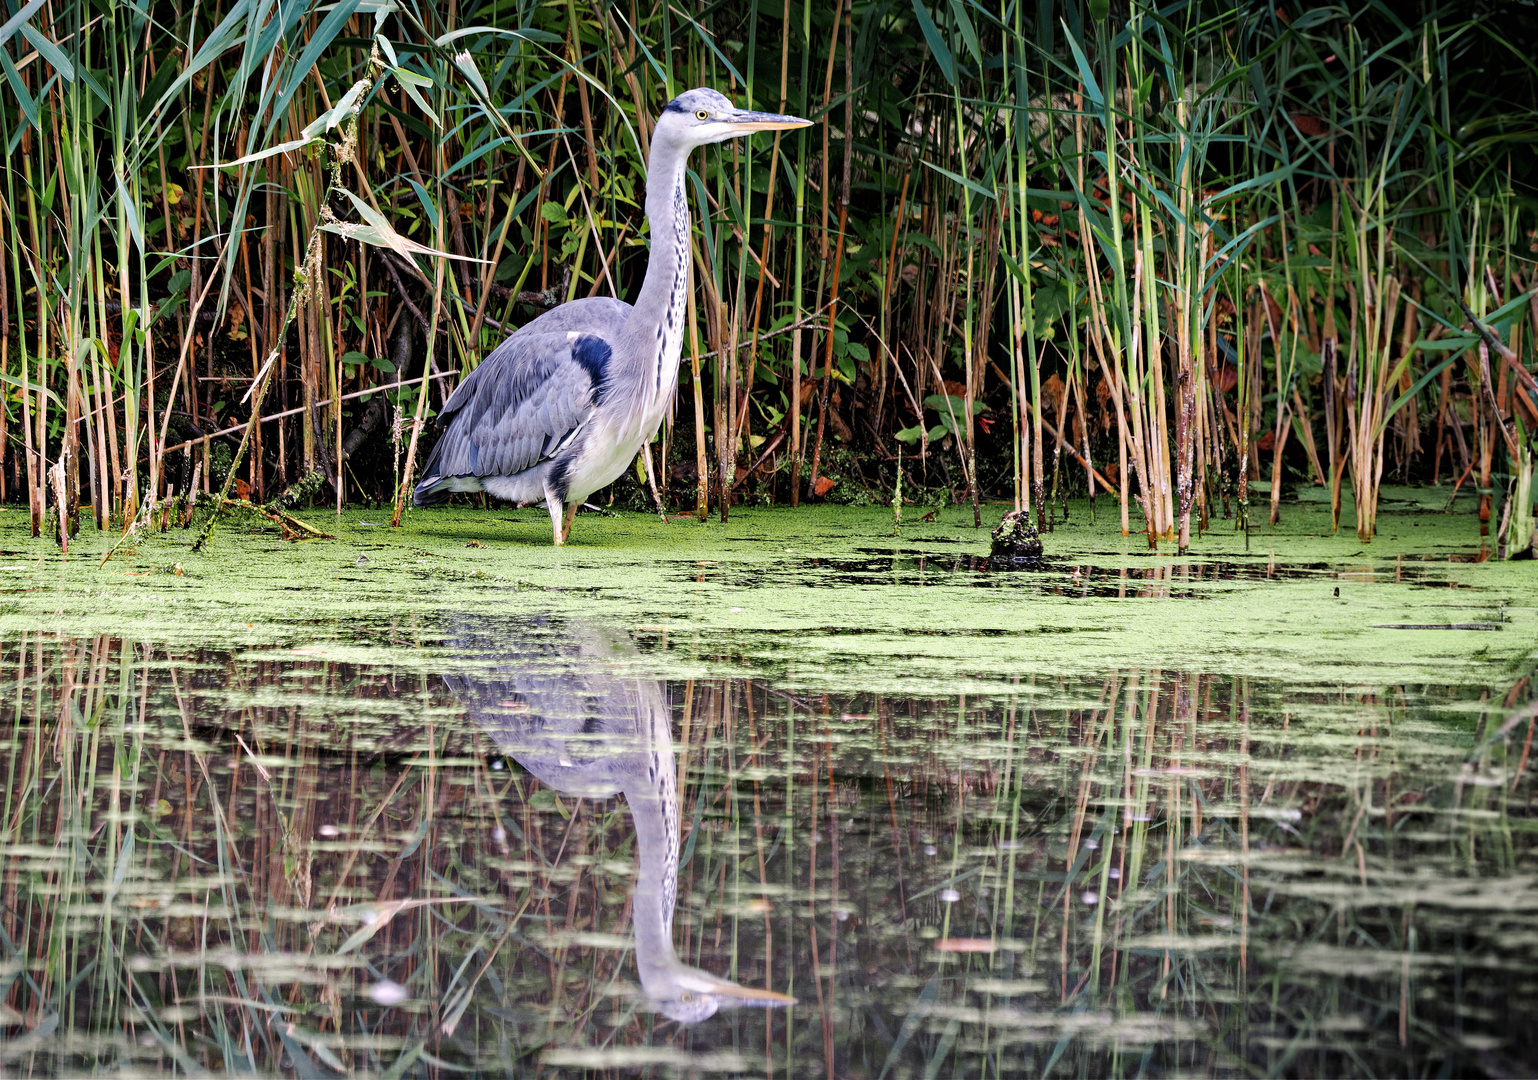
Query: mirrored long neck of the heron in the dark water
{"points": [[654, 810]]}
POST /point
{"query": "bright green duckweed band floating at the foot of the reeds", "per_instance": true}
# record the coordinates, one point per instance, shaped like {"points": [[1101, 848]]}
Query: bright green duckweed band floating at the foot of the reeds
{"points": [[833, 590]]}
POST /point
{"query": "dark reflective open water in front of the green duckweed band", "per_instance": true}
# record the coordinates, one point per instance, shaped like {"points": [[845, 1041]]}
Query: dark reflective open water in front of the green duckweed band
{"points": [[545, 856]]}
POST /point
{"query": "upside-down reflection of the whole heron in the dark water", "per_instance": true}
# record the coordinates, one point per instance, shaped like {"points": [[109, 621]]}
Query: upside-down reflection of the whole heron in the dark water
{"points": [[559, 707]]}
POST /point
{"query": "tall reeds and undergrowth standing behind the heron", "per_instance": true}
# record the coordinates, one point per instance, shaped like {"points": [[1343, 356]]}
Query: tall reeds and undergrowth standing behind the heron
{"points": [[1180, 258]]}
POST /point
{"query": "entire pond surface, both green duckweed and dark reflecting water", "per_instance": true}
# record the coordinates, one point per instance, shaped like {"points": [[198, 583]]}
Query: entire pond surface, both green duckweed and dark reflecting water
{"points": [[791, 798]]}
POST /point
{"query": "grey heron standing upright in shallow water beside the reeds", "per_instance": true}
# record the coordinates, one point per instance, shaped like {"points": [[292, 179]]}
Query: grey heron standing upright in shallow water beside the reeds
{"points": [[564, 405]]}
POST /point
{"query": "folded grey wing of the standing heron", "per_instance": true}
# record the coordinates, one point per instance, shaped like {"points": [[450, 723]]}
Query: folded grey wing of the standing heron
{"points": [[522, 405]]}
